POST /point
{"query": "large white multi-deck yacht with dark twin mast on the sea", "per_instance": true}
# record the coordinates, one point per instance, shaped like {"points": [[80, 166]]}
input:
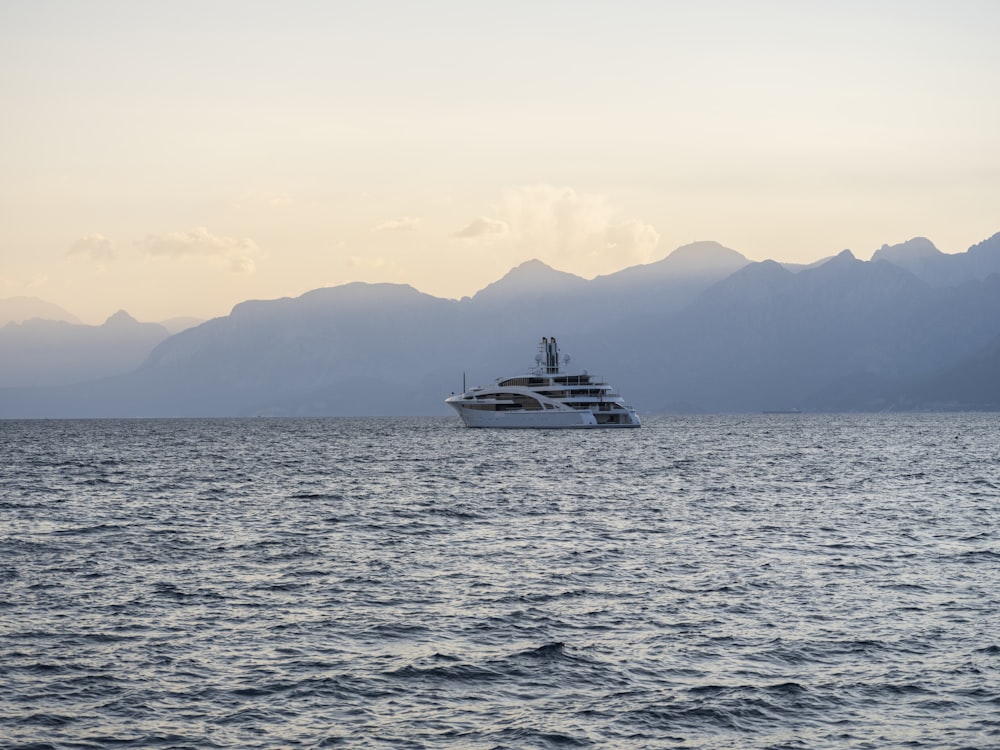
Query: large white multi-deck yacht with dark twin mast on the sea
{"points": [[548, 396]]}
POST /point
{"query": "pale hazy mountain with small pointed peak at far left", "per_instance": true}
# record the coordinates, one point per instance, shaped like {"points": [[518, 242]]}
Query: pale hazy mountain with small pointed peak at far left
{"points": [[50, 352]]}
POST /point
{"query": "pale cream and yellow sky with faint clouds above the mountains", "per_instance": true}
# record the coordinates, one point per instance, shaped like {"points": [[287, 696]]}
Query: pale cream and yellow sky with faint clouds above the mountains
{"points": [[174, 159]]}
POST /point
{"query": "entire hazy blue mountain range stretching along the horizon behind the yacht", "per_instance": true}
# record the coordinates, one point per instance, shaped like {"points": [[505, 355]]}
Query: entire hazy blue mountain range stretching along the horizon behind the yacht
{"points": [[703, 330]]}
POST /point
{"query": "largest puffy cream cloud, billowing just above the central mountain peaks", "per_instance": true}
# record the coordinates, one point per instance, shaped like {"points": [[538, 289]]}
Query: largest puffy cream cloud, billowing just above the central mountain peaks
{"points": [[581, 232]]}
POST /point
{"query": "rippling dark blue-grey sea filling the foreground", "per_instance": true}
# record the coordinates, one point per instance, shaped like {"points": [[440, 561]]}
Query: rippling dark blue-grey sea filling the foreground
{"points": [[762, 581]]}
